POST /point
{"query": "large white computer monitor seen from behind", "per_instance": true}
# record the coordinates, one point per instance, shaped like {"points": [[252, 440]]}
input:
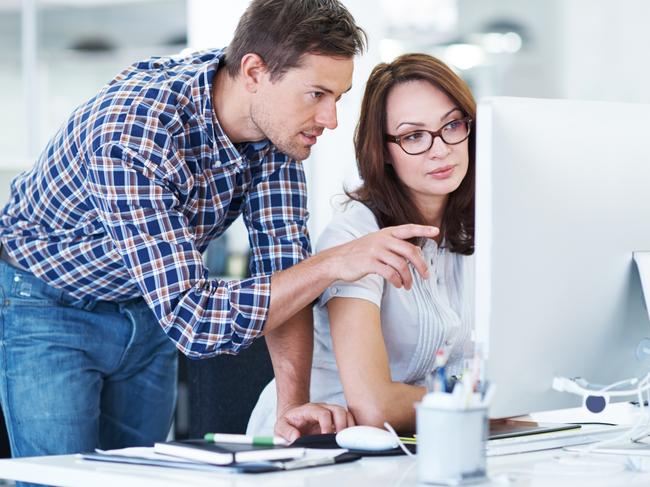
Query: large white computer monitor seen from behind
{"points": [[562, 202]]}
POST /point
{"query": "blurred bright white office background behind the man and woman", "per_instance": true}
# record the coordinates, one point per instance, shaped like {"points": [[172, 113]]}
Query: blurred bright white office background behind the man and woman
{"points": [[54, 54]]}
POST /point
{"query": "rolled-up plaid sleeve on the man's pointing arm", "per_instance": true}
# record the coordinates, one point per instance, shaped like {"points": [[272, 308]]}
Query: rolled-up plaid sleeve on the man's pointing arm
{"points": [[142, 213]]}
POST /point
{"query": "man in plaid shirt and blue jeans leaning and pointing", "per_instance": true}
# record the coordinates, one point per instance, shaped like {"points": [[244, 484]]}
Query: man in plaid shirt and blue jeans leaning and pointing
{"points": [[102, 239]]}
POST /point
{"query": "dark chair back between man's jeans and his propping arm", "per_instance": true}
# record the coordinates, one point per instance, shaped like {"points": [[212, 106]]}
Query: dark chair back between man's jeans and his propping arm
{"points": [[222, 391]]}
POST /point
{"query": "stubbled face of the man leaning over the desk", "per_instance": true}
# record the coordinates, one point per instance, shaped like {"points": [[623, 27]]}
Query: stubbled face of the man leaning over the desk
{"points": [[294, 110]]}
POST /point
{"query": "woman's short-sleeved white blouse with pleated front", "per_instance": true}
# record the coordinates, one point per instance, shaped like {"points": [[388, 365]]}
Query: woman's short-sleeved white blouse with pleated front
{"points": [[414, 323]]}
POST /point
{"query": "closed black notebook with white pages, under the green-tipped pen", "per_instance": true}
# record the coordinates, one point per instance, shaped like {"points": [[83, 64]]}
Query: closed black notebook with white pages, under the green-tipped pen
{"points": [[226, 453]]}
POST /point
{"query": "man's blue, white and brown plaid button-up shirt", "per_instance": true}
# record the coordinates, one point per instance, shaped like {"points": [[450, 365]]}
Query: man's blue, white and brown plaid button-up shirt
{"points": [[134, 186]]}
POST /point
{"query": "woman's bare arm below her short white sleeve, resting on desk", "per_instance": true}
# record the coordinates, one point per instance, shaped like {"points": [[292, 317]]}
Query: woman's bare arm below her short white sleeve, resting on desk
{"points": [[372, 396]]}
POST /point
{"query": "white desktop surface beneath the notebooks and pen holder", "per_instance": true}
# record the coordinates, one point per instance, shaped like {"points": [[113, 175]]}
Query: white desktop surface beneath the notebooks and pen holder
{"points": [[524, 470]]}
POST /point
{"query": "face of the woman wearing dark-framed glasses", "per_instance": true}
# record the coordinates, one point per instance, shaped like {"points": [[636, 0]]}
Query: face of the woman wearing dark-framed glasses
{"points": [[432, 175]]}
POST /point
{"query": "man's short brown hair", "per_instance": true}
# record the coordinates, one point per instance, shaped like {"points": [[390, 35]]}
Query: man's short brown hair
{"points": [[282, 31]]}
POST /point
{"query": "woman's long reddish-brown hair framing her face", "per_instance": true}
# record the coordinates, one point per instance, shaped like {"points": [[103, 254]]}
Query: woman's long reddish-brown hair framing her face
{"points": [[381, 190]]}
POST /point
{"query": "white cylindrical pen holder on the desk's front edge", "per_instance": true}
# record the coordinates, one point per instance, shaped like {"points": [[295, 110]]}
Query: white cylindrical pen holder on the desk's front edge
{"points": [[451, 444]]}
